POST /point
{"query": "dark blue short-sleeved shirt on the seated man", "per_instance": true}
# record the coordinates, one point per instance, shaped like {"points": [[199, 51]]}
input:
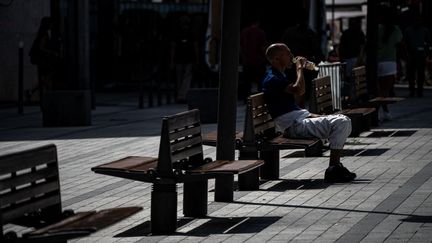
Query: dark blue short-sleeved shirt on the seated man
{"points": [[278, 101]]}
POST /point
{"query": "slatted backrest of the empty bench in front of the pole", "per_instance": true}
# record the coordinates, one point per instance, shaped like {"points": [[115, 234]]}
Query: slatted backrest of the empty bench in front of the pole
{"points": [[181, 143]]}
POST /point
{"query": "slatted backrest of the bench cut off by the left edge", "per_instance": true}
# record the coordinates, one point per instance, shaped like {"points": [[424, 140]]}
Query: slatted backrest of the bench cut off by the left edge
{"points": [[29, 186]]}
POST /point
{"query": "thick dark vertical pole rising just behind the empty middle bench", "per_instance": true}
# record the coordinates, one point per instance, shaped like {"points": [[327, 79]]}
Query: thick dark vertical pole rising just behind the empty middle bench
{"points": [[228, 80]]}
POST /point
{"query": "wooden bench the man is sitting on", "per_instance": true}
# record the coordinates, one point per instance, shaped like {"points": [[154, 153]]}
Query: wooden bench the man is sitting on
{"points": [[260, 139]]}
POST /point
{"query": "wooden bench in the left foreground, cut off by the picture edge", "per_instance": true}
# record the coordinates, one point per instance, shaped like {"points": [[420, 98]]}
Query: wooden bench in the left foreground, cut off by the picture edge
{"points": [[30, 197]]}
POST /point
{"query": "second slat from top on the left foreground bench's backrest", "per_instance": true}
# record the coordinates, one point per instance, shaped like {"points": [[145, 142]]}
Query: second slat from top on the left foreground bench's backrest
{"points": [[28, 178]]}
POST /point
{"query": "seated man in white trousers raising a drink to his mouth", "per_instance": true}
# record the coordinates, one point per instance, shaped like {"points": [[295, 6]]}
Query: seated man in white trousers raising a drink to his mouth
{"points": [[279, 91]]}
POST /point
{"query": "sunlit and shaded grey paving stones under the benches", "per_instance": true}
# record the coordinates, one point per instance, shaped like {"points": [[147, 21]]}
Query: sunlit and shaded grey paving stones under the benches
{"points": [[389, 202]]}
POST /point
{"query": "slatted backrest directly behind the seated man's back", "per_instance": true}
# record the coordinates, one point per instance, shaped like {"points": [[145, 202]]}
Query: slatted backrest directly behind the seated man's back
{"points": [[258, 122]]}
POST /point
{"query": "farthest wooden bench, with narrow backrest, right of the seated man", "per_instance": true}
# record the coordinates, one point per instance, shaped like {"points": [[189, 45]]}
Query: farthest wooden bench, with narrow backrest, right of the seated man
{"points": [[361, 95]]}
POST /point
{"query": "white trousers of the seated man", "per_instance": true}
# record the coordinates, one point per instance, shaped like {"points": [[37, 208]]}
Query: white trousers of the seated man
{"points": [[335, 128]]}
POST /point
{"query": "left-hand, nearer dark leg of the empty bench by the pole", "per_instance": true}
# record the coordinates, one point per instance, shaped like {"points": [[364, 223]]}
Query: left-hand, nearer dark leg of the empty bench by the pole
{"points": [[164, 208]]}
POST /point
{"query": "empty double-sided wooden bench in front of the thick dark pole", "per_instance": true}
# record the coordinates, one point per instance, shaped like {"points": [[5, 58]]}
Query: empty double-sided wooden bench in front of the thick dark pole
{"points": [[180, 160]]}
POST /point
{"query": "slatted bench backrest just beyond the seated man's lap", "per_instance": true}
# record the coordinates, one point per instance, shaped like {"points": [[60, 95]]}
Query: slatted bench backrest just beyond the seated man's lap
{"points": [[321, 96]]}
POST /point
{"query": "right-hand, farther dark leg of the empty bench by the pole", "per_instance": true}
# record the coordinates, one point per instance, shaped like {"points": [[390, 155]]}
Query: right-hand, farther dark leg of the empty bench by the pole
{"points": [[195, 198]]}
